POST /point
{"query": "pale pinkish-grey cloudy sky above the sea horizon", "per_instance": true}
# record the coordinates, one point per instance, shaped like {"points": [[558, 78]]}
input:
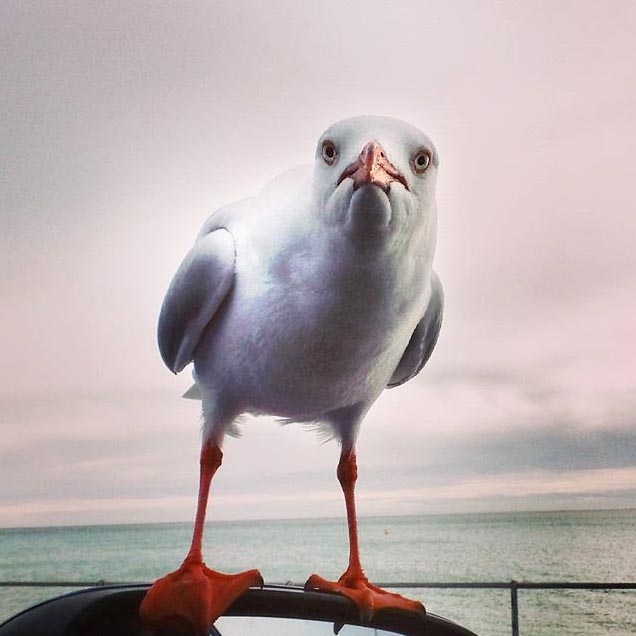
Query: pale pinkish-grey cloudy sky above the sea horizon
{"points": [[124, 124]]}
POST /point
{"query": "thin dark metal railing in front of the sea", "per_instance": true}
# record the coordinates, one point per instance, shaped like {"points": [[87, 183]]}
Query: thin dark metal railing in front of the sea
{"points": [[513, 586]]}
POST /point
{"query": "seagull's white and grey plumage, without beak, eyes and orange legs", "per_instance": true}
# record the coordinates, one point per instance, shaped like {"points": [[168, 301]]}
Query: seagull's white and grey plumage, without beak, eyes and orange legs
{"points": [[301, 301]]}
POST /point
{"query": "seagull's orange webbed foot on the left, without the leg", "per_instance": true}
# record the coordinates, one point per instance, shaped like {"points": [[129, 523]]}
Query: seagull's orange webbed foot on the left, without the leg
{"points": [[189, 600]]}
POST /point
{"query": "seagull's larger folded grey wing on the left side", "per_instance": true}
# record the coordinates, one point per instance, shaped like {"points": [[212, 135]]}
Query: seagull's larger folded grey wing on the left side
{"points": [[195, 293]]}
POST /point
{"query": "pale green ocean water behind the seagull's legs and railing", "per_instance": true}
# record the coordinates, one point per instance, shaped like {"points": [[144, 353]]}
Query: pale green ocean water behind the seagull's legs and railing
{"points": [[538, 547]]}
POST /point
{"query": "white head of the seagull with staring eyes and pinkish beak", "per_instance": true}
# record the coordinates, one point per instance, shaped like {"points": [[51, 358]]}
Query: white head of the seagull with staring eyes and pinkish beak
{"points": [[374, 180]]}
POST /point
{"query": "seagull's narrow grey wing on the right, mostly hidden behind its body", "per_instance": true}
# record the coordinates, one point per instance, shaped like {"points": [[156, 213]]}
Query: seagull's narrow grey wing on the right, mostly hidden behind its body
{"points": [[423, 340]]}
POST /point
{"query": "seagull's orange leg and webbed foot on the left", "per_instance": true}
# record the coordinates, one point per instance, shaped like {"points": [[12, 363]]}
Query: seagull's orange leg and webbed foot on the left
{"points": [[190, 599]]}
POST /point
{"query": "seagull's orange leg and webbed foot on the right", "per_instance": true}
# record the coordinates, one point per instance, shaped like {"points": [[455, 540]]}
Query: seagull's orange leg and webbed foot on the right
{"points": [[353, 583]]}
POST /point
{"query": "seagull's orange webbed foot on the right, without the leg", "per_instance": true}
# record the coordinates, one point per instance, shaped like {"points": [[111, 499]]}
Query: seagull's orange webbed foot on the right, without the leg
{"points": [[368, 597]]}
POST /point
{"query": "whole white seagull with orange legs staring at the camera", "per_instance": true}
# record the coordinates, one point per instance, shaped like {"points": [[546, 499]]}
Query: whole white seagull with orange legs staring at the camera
{"points": [[305, 302]]}
